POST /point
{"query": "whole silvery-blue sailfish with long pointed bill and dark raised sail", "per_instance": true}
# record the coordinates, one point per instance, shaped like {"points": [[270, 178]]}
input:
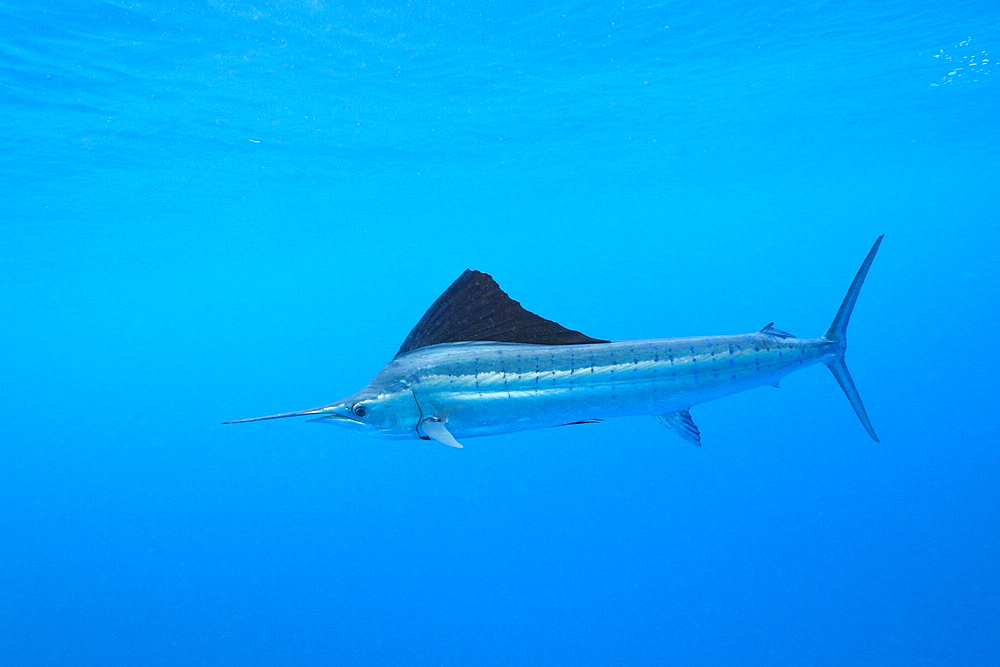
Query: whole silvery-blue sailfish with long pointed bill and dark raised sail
{"points": [[478, 363]]}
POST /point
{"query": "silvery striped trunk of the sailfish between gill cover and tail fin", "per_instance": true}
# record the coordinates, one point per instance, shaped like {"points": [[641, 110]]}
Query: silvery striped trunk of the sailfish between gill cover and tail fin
{"points": [[483, 388]]}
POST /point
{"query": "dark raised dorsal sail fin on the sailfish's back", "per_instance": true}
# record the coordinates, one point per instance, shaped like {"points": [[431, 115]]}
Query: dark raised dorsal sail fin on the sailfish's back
{"points": [[474, 308]]}
